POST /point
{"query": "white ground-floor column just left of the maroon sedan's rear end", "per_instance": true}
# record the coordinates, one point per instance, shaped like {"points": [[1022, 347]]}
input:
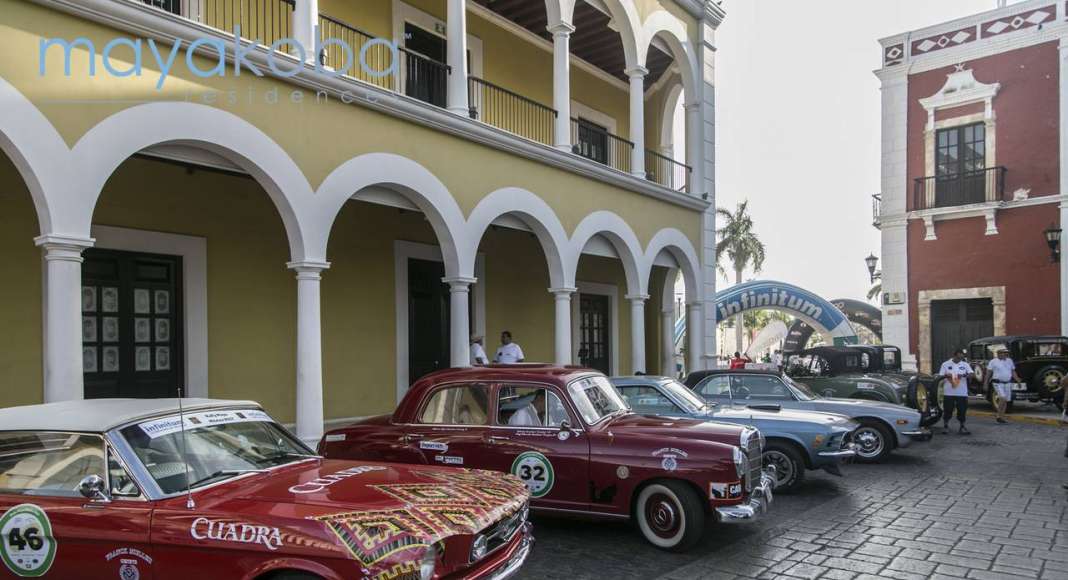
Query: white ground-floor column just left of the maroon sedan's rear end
{"points": [[309, 351]]}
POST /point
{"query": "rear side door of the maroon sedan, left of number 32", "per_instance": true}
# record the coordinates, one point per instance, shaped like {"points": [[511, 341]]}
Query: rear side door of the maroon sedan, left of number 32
{"points": [[452, 426]]}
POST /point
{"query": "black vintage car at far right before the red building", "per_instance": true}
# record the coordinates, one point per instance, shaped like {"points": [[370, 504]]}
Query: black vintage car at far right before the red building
{"points": [[1041, 362]]}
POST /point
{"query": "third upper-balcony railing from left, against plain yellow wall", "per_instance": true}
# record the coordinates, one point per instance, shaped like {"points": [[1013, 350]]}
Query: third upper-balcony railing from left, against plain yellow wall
{"points": [[511, 112]]}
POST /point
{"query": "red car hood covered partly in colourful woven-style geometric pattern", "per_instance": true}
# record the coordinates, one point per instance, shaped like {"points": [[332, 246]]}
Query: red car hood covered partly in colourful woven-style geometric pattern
{"points": [[370, 507]]}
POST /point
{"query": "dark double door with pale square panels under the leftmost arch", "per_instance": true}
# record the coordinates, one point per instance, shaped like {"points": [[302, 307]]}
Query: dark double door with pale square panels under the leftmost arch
{"points": [[132, 325]]}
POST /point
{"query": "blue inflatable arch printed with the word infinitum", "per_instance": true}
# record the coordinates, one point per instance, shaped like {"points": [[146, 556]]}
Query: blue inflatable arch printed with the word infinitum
{"points": [[800, 304]]}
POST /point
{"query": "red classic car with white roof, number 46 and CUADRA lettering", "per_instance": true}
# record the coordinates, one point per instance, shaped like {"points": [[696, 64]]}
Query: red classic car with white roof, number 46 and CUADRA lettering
{"points": [[130, 490]]}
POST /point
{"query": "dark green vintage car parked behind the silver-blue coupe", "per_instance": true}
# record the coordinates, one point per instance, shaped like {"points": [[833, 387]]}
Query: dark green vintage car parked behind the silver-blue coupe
{"points": [[867, 373]]}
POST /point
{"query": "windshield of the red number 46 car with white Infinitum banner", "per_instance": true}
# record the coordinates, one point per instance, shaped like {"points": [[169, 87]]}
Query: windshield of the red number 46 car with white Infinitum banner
{"points": [[216, 446]]}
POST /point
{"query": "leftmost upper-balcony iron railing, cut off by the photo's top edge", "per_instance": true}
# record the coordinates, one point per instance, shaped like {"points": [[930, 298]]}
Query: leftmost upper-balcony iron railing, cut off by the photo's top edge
{"points": [[263, 21]]}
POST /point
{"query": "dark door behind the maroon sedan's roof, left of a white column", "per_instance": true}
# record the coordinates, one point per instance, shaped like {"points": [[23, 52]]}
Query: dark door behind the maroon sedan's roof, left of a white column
{"points": [[428, 319]]}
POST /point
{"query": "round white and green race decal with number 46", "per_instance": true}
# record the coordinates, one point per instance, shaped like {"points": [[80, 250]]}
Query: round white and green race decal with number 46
{"points": [[27, 544]]}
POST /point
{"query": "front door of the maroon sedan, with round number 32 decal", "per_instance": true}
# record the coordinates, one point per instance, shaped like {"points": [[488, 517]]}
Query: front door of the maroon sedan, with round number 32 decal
{"points": [[528, 438]]}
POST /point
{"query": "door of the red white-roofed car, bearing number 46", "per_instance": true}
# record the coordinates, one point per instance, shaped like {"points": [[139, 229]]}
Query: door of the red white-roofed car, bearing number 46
{"points": [[49, 527]]}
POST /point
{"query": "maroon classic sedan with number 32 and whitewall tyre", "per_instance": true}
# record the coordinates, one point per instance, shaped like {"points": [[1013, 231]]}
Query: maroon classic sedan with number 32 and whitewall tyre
{"points": [[572, 438]]}
